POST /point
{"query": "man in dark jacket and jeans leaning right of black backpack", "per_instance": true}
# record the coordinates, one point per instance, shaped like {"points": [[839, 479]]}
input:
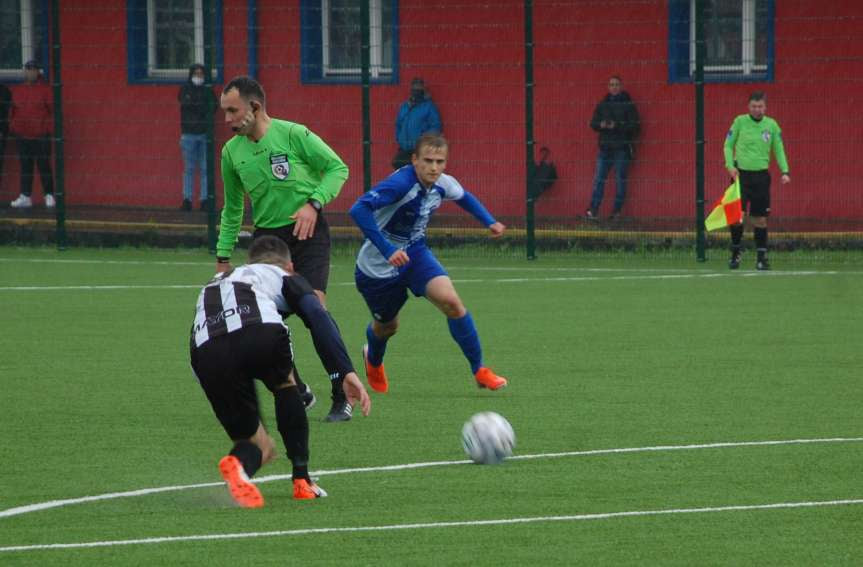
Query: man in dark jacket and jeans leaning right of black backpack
{"points": [[616, 120]]}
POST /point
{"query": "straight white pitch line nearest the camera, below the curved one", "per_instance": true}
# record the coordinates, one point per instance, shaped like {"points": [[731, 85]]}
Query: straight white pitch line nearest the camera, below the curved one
{"points": [[437, 525]]}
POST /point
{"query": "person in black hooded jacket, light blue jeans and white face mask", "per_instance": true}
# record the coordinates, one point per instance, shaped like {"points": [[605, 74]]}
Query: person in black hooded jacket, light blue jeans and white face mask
{"points": [[197, 103]]}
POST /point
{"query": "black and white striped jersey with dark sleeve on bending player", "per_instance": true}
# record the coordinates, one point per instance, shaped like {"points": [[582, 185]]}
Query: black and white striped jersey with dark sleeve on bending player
{"points": [[253, 294]]}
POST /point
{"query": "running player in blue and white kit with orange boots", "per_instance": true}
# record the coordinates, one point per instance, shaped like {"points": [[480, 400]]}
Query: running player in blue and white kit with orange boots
{"points": [[394, 257]]}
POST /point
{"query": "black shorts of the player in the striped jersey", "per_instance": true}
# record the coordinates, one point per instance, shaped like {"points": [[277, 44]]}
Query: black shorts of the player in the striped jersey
{"points": [[227, 366]]}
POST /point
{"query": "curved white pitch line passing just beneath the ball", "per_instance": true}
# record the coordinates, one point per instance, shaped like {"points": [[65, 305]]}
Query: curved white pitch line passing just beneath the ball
{"points": [[26, 509]]}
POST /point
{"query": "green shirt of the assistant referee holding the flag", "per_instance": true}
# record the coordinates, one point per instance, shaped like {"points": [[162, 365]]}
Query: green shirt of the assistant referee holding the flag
{"points": [[749, 143]]}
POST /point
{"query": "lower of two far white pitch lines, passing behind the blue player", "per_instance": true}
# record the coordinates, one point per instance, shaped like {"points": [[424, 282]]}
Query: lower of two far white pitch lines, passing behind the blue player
{"points": [[456, 280]]}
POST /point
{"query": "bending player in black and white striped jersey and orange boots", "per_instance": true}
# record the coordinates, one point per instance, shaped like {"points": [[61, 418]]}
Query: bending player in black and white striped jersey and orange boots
{"points": [[238, 335]]}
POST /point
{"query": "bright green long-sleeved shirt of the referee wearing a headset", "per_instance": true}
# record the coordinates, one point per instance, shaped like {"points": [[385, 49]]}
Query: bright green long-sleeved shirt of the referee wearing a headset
{"points": [[280, 172]]}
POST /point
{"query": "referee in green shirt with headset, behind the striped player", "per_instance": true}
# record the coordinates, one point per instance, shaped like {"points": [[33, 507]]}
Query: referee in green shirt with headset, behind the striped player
{"points": [[289, 174]]}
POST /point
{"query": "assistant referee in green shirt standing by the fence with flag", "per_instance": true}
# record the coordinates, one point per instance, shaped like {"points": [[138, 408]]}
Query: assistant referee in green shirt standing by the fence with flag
{"points": [[748, 146]]}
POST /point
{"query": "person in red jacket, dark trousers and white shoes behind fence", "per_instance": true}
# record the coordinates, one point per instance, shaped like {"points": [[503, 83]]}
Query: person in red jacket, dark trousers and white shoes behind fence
{"points": [[32, 123]]}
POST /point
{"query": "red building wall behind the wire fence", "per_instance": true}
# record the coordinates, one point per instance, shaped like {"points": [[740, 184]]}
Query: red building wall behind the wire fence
{"points": [[122, 140]]}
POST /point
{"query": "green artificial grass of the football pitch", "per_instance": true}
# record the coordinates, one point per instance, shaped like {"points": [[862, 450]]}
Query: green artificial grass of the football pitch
{"points": [[602, 352]]}
